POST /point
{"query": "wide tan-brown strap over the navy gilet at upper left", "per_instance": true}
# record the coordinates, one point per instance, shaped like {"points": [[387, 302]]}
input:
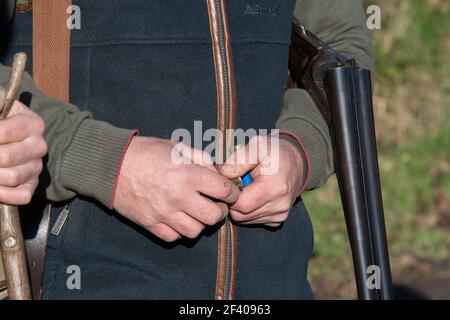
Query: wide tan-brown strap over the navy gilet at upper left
{"points": [[51, 47]]}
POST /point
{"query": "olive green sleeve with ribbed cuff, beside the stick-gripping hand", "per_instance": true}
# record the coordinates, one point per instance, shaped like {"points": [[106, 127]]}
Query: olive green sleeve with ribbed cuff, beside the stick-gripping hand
{"points": [[84, 154]]}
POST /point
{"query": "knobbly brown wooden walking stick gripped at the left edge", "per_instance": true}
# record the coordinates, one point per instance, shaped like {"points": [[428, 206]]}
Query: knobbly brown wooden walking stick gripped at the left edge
{"points": [[12, 244]]}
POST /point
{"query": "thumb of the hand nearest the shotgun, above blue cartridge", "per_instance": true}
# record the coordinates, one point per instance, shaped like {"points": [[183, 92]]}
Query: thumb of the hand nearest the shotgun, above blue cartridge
{"points": [[243, 160]]}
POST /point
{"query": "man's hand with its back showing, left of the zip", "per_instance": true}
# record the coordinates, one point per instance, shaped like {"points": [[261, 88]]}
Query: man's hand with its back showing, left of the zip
{"points": [[169, 199]]}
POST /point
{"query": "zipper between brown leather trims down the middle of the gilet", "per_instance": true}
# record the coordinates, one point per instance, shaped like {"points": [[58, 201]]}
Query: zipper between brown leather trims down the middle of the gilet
{"points": [[228, 255]]}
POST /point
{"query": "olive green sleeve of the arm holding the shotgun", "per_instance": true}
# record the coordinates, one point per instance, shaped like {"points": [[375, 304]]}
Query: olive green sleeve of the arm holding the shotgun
{"points": [[341, 24]]}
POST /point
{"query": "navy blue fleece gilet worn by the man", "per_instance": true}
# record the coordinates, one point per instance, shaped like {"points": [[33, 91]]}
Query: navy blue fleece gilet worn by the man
{"points": [[148, 64]]}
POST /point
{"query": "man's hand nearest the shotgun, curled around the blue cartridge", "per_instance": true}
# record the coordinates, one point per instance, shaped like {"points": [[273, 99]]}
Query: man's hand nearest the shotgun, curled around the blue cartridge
{"points": [[277, 179]]}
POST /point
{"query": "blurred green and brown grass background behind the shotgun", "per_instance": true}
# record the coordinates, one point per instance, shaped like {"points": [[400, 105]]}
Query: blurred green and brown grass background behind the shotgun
{"points": [[411, 103]]}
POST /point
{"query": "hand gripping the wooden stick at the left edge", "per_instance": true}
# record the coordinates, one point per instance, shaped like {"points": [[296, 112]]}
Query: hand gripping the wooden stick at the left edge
{"points": [[22, 146]]}
